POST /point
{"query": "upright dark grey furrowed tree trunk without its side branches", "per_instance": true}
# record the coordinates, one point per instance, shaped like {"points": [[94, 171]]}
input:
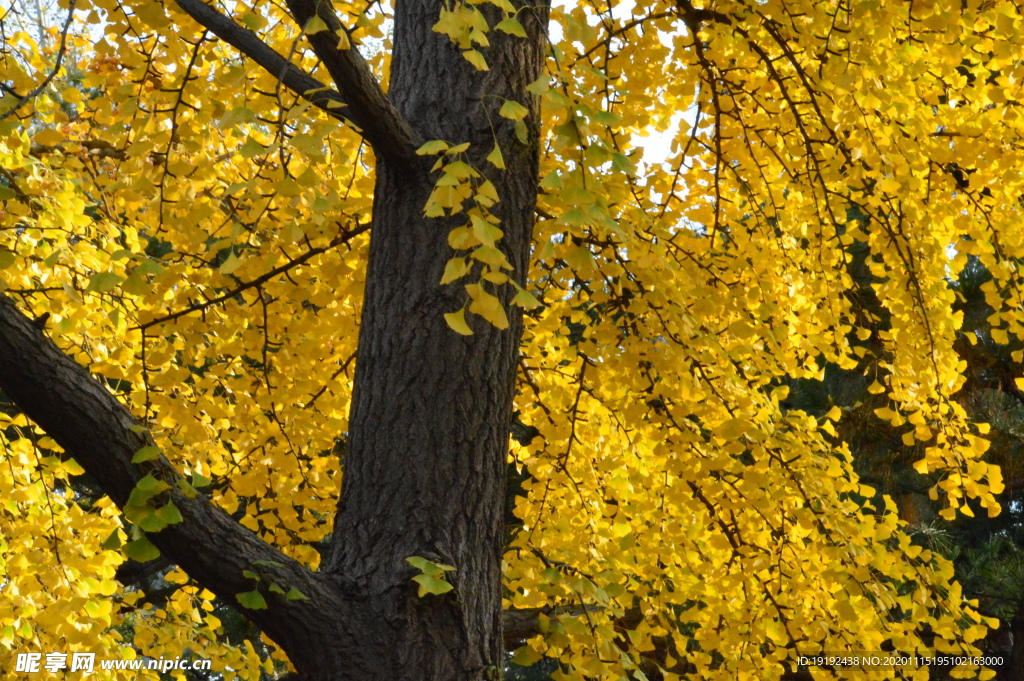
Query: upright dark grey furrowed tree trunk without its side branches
{"points": [[424, 470]]}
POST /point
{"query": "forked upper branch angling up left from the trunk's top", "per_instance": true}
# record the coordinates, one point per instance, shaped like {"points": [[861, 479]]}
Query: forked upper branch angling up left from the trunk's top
{"points": [[362, 100]]}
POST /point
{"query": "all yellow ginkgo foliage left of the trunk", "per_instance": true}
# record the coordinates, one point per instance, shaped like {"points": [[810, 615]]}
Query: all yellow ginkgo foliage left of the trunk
{"points": [[157, 176]]}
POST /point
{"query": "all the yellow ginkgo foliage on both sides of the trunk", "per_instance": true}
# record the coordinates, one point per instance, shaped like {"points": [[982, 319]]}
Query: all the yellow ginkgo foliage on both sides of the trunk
{"points": [[154, 207]]}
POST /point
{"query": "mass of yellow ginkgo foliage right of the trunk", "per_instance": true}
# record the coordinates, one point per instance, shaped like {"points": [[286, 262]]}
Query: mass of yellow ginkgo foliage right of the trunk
{"points": [[681, 296]]}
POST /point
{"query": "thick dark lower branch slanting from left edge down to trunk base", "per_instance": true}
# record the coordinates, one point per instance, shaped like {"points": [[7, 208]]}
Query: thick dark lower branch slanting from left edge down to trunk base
{"points": [[94, 428]]}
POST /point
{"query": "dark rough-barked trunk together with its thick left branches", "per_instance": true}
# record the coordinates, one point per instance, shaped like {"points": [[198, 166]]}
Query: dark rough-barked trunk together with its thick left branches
{"points": [[424, 472]]}
